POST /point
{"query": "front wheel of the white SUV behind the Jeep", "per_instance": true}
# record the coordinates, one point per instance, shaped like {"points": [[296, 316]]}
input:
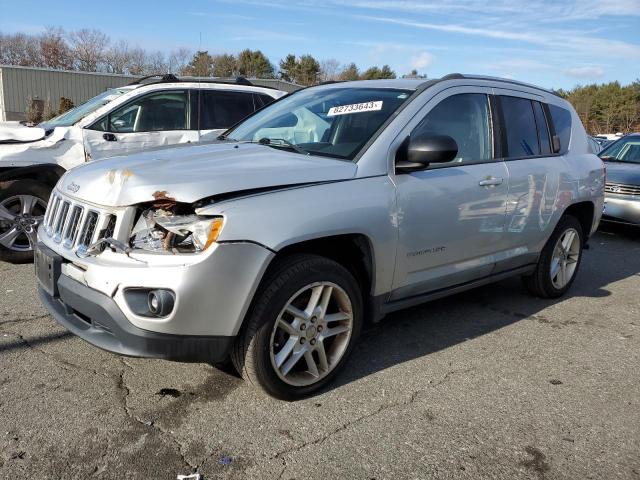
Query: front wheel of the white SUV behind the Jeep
{"points": [[22, 207]]}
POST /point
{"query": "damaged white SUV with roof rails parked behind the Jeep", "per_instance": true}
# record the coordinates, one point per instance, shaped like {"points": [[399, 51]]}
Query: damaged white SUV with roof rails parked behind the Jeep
{"points": [[137, 117]]}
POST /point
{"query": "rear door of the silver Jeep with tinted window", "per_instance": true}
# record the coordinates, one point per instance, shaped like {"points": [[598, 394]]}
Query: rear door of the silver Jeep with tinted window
{"points": [[534, 173]]}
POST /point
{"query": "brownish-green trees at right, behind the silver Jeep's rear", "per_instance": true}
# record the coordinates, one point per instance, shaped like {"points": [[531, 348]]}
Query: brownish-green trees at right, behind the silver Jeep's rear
{"points": [[607, 108]]}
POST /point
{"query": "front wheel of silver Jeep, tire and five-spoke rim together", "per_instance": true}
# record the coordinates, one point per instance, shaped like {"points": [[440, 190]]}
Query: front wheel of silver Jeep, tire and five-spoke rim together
{"points": [[302, 326]]}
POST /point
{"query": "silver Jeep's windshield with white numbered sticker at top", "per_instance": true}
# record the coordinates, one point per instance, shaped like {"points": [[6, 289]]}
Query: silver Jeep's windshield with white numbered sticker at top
{"points": [[334, 122]]}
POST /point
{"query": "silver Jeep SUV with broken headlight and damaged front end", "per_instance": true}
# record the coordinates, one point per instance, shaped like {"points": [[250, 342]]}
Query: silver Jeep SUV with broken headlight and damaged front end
{"points": [[336, 204]]}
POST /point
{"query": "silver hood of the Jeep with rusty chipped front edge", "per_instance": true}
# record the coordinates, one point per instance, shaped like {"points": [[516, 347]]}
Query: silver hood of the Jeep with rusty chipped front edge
{"points": [[190, 173]]}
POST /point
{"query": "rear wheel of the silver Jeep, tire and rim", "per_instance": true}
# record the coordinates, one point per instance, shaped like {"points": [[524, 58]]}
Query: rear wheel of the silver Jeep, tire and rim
{"points": [[559, 261]]}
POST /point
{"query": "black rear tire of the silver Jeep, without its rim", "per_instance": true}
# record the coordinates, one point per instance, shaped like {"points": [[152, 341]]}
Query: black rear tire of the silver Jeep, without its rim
{"points": [[539, 283]]}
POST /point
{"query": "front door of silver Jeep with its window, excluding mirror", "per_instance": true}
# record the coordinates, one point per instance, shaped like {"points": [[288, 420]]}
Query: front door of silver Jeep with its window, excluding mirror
{"points": [[451, 215]]}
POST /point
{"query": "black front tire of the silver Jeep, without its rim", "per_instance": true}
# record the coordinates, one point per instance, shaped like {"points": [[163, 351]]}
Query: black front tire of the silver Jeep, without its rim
{"points": [[251, 352]]}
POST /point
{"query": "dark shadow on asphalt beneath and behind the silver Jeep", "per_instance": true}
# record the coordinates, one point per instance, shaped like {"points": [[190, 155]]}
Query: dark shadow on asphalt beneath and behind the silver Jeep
{"points": [[434, 326]]}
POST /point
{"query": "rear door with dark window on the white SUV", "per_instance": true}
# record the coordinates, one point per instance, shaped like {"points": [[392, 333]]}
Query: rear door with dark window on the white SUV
{"points": [[220, 109]]}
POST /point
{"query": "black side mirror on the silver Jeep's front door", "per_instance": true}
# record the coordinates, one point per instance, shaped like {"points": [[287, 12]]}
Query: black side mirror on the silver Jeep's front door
{"points": [[416, 153]]}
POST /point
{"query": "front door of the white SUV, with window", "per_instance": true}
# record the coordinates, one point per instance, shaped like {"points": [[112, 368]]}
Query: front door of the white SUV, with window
{"points": [[150, 121]]}
